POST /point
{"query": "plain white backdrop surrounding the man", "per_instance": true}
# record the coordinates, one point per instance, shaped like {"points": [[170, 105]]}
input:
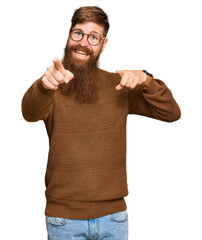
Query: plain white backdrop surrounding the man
{"points": [[163, 159]]}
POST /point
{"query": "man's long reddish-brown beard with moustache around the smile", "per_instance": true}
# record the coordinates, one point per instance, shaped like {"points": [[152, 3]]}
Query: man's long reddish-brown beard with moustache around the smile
{"points": [[84, 83]]}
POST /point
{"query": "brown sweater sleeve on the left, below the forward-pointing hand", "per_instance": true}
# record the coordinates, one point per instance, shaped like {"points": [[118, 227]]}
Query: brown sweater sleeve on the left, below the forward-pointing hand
{"points": [[37, 102]]}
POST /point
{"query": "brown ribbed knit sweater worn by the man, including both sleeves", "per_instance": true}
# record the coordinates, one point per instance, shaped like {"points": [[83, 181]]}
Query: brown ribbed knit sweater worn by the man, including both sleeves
{"points": [[86, 170]]}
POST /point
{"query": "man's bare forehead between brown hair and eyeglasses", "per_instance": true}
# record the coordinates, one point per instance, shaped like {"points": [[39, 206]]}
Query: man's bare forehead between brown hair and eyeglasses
{"points": [[89, 27]]}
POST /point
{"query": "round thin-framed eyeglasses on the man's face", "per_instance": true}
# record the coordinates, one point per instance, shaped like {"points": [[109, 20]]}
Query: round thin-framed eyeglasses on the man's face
{"points": [[92, 38]]}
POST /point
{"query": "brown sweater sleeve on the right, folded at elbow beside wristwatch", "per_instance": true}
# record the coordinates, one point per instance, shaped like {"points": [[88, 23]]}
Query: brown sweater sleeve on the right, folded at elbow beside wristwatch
{"points": [[154, 100]]}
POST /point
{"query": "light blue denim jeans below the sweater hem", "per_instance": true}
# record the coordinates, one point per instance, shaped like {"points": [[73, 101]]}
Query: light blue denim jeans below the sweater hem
{"points": [[110, 227]]}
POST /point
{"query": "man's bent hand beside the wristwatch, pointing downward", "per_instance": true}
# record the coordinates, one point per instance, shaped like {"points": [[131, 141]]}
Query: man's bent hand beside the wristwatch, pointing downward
{"points": [[130, 78]]}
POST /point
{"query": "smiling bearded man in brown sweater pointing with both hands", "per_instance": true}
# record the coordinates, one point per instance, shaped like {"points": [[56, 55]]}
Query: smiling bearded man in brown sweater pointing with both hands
{"points": [[84, 110]]}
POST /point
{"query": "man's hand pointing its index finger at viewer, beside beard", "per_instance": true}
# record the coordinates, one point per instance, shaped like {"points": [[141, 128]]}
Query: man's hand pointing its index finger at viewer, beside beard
{"points": [[55, 75]]}
